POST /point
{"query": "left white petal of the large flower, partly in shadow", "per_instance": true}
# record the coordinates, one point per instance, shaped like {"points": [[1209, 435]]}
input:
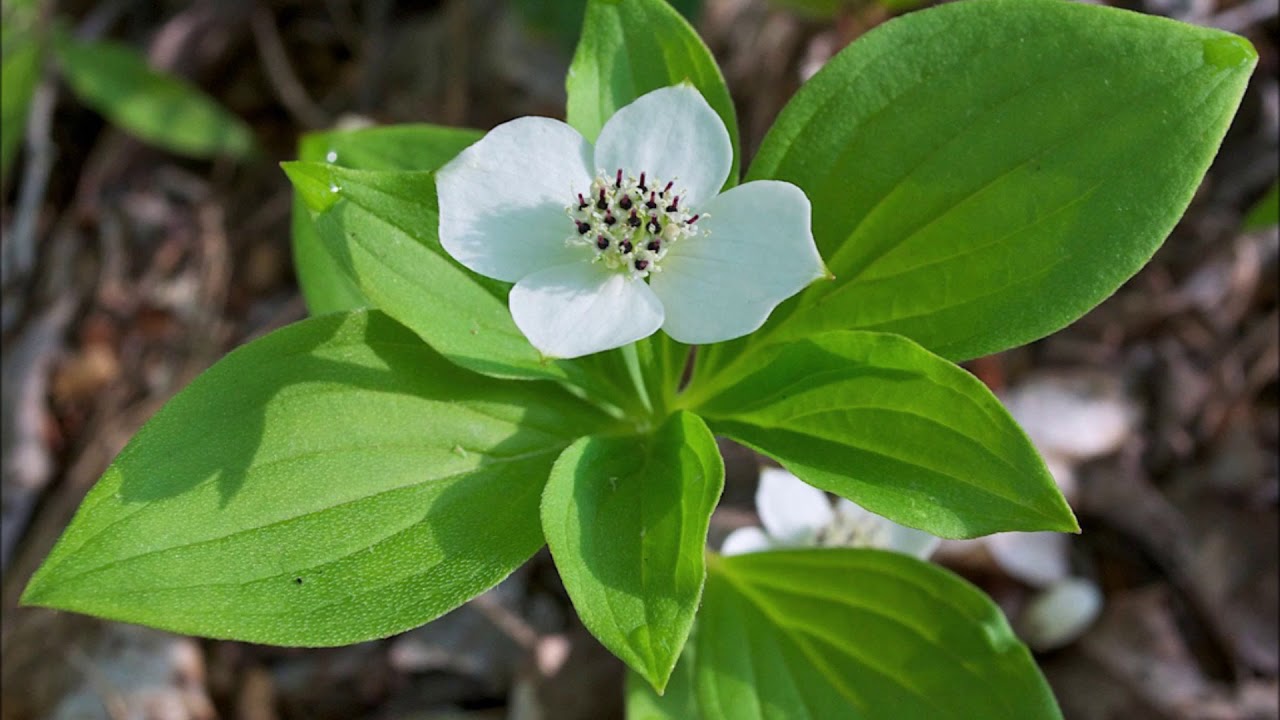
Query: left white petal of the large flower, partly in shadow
{"points": [[504, 199]]}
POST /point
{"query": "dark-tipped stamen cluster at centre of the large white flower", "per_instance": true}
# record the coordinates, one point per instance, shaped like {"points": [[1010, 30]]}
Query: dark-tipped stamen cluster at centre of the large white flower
{"points": [[630, 224]]}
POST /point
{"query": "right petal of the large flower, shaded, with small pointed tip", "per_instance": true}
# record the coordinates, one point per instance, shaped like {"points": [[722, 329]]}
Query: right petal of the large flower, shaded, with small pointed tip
{"points": [[756, 249]]}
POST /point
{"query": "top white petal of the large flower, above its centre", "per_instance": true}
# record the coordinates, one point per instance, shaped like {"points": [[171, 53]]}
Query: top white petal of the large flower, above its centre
{"points": [[673, 135]]}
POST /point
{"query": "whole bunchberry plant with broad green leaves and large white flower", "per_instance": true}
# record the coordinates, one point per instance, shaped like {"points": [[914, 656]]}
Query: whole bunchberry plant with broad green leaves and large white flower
{"points": [[484, 375]]}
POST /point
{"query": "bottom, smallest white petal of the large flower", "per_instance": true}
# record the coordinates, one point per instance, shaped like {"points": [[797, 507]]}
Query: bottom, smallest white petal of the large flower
{"points": [[583, 308]]}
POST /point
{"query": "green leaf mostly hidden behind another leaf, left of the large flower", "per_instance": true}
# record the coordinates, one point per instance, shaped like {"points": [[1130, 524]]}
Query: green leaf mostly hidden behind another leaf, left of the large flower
{"points": [[394, 148]]}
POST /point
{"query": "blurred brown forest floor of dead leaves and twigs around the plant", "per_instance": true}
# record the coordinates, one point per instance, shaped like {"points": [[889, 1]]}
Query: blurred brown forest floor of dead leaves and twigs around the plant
{"points": [[149, 268]]}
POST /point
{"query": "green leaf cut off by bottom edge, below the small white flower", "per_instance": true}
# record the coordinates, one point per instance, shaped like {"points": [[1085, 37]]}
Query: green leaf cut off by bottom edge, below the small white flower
{"points": [[858, 635]]}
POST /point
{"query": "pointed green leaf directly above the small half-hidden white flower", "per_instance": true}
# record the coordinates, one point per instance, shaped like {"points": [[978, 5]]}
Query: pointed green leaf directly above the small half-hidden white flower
{"points": [[881, 421]]}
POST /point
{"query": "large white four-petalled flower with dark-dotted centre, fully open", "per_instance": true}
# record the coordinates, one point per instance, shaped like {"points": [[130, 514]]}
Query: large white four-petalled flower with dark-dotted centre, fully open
{"points": [[609, 244]]}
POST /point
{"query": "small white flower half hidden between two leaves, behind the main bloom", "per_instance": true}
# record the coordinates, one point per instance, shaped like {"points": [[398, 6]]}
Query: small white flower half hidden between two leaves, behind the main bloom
{"points": [[797, 514]]}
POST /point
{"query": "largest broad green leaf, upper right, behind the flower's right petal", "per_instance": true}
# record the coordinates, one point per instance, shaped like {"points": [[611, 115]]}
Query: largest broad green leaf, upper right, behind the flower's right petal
{"points": [[984, 174]]}
